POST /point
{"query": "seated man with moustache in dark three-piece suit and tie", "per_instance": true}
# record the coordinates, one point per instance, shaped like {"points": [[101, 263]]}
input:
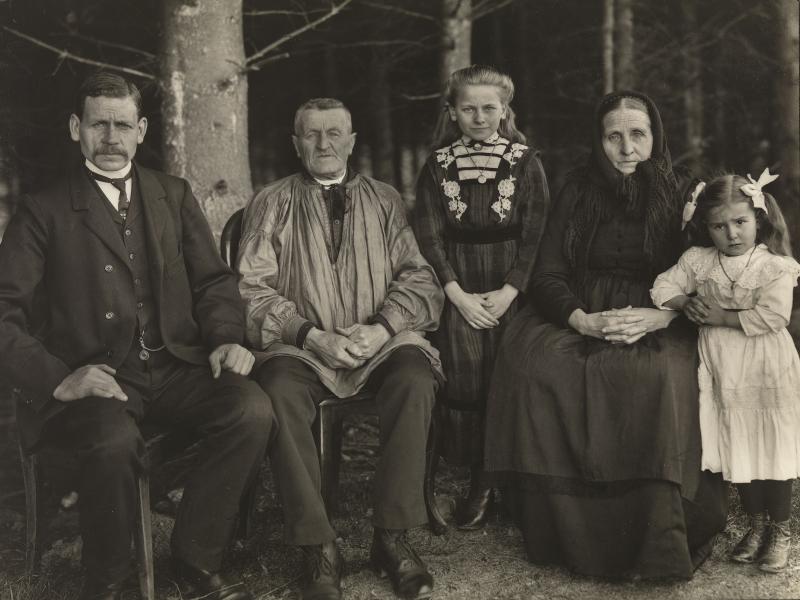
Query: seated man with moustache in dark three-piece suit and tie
{"points": [[141, 319]]}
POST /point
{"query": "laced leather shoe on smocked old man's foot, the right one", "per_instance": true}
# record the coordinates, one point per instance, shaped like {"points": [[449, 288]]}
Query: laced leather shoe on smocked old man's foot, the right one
{"points": [[391, 554]]}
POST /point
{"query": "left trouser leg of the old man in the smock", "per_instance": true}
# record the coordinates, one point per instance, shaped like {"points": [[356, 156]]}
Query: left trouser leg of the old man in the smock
{"points": [[296, 391]]}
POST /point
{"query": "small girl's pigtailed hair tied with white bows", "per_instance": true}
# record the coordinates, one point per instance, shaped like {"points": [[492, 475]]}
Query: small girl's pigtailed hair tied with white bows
{"points": [[726, 189]]}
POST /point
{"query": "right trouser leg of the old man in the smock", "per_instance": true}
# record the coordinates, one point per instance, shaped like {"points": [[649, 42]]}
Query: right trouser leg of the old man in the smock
{"points": [[405, 389]]}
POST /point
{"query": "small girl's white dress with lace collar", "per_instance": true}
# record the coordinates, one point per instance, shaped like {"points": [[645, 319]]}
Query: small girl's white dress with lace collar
{"points": [[749, 378]]}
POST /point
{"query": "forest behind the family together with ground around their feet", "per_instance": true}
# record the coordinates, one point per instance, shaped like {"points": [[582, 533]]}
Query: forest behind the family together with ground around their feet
{"points": [[221, 81]]}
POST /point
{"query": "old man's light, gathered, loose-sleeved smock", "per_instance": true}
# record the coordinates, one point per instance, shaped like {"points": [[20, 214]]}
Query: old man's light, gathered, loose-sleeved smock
{"points": [[288, 275]]}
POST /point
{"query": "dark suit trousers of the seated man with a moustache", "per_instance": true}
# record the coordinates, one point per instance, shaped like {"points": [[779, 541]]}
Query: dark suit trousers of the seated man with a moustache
{"points": [[230, 416]]}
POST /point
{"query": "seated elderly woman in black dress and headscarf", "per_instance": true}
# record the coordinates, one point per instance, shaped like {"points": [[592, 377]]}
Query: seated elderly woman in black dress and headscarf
{"points": [[592, 419]]}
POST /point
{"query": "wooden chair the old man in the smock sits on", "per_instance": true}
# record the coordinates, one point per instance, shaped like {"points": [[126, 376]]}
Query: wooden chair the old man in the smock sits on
{"points": [[333, 411]]}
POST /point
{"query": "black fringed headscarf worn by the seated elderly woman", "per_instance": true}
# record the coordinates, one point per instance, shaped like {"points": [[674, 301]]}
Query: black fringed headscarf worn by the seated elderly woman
{"points": [[651, 192]]}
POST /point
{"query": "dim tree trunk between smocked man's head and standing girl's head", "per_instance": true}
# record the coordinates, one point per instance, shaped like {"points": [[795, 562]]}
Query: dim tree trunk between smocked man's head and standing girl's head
{"points": [[380, 116]]}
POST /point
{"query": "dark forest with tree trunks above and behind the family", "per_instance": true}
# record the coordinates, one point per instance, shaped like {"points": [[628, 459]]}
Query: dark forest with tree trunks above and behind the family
{"points": [[222, 79]]}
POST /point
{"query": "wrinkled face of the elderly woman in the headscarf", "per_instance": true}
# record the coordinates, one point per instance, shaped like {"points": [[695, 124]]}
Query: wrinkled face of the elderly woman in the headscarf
{"points": [[627, 138]]}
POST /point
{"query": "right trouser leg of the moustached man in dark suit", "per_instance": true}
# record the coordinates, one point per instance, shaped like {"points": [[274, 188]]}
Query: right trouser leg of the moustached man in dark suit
{"points": [[234, 421]]}
